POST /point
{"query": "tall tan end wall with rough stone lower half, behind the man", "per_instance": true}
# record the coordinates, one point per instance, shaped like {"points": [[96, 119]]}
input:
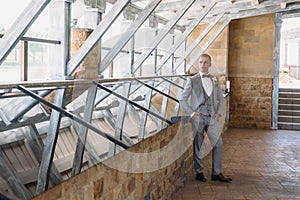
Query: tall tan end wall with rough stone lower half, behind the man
{"points": [[250, 70]]}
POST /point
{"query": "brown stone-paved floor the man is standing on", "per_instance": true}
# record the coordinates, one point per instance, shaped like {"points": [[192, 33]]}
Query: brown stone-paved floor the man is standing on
{"points": [[264, 164]]}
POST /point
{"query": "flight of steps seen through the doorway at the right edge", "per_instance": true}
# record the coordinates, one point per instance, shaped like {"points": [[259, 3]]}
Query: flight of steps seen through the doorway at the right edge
{"points": [[289, 109]]}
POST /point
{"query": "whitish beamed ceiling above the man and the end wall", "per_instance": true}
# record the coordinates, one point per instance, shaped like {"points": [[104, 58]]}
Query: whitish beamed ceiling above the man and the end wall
{"points": [[233, 9]]}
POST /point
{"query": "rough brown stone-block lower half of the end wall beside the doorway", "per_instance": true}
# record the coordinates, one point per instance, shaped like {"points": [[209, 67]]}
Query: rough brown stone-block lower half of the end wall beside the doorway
{"points": [[251, 102]]}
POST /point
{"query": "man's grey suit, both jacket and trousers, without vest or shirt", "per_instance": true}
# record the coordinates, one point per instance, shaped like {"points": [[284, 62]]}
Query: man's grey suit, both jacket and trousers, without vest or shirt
{"points": [[195, 99]]}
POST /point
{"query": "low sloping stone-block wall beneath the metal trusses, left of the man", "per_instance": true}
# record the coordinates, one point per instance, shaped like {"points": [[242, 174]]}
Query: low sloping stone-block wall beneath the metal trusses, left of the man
{"points": [[105, 182]]}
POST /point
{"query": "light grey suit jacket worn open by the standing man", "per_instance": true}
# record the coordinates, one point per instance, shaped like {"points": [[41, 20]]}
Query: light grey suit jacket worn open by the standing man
{"points": [[193, 95]]}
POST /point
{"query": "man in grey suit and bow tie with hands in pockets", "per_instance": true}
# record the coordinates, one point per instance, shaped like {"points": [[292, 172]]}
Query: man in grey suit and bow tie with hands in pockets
{"points": [[202, 100]]}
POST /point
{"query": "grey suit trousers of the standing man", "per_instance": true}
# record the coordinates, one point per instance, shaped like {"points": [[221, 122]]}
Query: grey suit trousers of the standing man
{"points": [[209, 125]]}
